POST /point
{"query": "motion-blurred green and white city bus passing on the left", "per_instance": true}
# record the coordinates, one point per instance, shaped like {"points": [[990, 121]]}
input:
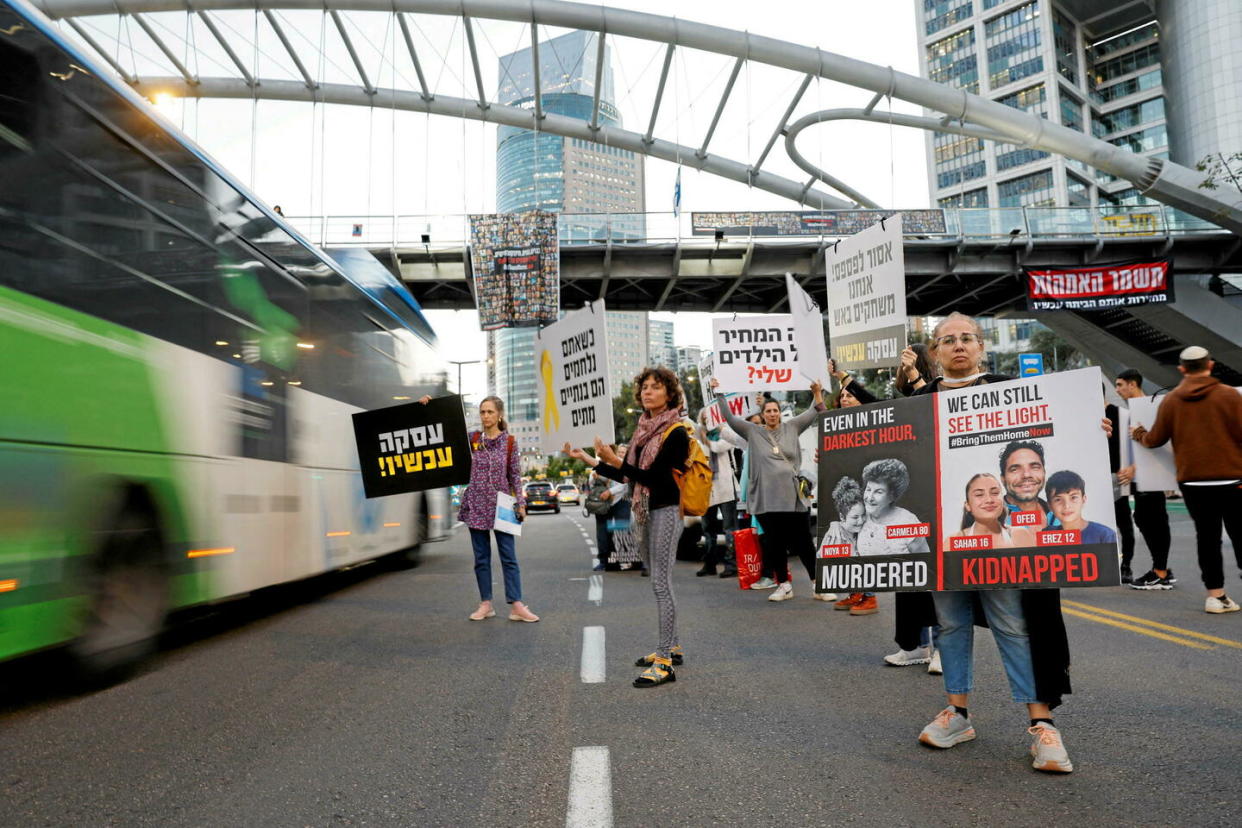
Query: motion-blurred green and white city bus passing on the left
{"points": [[179, 369]]}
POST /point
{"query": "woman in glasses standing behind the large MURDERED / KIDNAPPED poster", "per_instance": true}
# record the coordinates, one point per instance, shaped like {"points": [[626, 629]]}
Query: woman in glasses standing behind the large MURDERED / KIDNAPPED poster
{"points": [[1027, 624]]}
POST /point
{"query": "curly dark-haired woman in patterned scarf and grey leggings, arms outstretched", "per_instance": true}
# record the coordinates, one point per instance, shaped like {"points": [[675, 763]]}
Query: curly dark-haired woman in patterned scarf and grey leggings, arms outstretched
{"points": [[658, 451]]}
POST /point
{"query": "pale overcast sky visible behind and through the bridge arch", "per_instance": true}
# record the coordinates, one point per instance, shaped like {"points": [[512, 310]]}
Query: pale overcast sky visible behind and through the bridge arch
{"points": [[367, 166]]}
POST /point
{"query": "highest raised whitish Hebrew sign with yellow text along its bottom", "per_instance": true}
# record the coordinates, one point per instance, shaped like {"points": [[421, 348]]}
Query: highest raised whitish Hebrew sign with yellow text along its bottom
{"points": [[866, 277]]}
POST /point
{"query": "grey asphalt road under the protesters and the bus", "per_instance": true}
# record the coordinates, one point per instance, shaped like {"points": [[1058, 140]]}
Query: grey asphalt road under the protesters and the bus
{"points": [[368, 698]]}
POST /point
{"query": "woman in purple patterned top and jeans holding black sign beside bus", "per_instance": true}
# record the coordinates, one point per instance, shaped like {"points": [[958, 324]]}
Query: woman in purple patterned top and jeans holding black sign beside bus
{"points": [[495, 470]]}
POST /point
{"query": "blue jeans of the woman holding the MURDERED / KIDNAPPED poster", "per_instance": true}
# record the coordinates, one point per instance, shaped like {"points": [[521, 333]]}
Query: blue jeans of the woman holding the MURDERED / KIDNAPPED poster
{"points": [[957, 640]]}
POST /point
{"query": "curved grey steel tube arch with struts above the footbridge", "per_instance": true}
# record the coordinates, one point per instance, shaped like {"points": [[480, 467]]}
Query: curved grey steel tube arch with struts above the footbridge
{"points": [[961, 111]]}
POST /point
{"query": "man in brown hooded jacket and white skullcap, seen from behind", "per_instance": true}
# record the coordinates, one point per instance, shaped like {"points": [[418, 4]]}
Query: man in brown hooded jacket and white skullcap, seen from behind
{"points": [[1204, 419]]}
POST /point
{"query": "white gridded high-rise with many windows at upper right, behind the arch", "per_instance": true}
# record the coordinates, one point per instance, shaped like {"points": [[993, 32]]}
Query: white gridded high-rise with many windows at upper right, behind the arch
{"points": [[1089, 65]]}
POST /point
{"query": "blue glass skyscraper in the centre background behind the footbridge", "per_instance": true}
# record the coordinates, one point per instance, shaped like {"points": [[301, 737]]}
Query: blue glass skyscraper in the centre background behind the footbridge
{"points": [[588, 184]]}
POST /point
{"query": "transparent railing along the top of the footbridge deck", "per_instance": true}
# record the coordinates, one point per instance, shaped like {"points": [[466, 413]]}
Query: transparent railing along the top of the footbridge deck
{"points": [[450, 232]]}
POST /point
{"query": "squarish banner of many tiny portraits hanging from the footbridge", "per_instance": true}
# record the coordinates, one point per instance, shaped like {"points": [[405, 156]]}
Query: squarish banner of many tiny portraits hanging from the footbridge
{"points": [[516, 260]]}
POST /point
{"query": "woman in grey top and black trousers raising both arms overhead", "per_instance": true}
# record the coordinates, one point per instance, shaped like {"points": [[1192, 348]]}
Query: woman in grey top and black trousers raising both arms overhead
{"points": [[776, 492]]}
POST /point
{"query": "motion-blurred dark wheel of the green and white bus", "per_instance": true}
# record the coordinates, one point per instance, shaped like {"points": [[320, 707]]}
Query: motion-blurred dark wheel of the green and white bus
{"points": [[127, 592]]}
